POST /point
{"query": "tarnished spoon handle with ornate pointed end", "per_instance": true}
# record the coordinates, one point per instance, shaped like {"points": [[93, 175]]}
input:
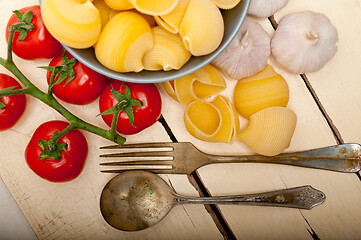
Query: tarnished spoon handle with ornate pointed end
{"points": [[304, 197]]}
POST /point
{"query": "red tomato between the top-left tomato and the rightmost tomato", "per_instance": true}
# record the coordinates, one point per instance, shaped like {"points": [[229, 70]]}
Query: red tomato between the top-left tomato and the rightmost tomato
{"points": [[83, 89]]}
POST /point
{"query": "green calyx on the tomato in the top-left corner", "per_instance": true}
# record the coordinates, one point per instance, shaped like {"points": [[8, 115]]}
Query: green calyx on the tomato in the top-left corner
{"points": [[24, 26]]}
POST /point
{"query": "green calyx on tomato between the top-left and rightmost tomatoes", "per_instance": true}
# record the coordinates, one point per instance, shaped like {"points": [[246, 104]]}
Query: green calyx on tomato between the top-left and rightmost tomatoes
{"points": [[65, 70]]}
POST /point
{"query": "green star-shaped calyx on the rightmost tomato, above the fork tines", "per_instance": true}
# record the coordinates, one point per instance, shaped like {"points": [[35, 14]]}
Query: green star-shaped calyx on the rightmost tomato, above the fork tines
{"points": [[125, 103]]}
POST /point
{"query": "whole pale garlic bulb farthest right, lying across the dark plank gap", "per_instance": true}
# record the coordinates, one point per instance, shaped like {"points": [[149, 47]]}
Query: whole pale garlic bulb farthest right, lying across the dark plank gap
{"points": [[304, 42]]}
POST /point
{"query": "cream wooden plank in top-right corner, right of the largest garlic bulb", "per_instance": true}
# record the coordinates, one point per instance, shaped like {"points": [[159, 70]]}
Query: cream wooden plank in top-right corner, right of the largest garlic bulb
{"points": [[341, 96]]}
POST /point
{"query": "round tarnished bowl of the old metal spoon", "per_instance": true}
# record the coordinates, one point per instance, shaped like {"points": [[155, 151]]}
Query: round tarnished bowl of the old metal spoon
{"points": [[135, 200]]}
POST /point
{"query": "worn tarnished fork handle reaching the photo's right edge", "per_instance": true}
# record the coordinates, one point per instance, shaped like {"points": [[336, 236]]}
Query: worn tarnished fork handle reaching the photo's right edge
{"points": [[341, 158]]}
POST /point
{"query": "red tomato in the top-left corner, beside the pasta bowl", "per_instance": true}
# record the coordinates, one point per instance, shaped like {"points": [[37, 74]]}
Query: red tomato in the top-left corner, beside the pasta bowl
{"points": [[39, 43]]}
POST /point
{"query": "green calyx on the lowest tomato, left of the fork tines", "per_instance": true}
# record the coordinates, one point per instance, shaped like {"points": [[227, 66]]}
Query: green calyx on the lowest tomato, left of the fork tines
{"points": [[51, 149]]}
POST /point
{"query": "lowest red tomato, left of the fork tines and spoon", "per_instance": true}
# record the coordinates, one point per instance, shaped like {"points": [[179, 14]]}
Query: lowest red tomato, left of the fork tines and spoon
{"points": [[72, 161]]}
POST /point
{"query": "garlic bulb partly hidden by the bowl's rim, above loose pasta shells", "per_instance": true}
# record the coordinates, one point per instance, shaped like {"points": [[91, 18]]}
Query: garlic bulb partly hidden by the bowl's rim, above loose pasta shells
{"points": [[248, 52]]}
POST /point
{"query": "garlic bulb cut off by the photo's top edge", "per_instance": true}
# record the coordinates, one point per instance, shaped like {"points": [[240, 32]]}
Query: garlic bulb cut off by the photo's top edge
{"points": [[265, 8]]}
